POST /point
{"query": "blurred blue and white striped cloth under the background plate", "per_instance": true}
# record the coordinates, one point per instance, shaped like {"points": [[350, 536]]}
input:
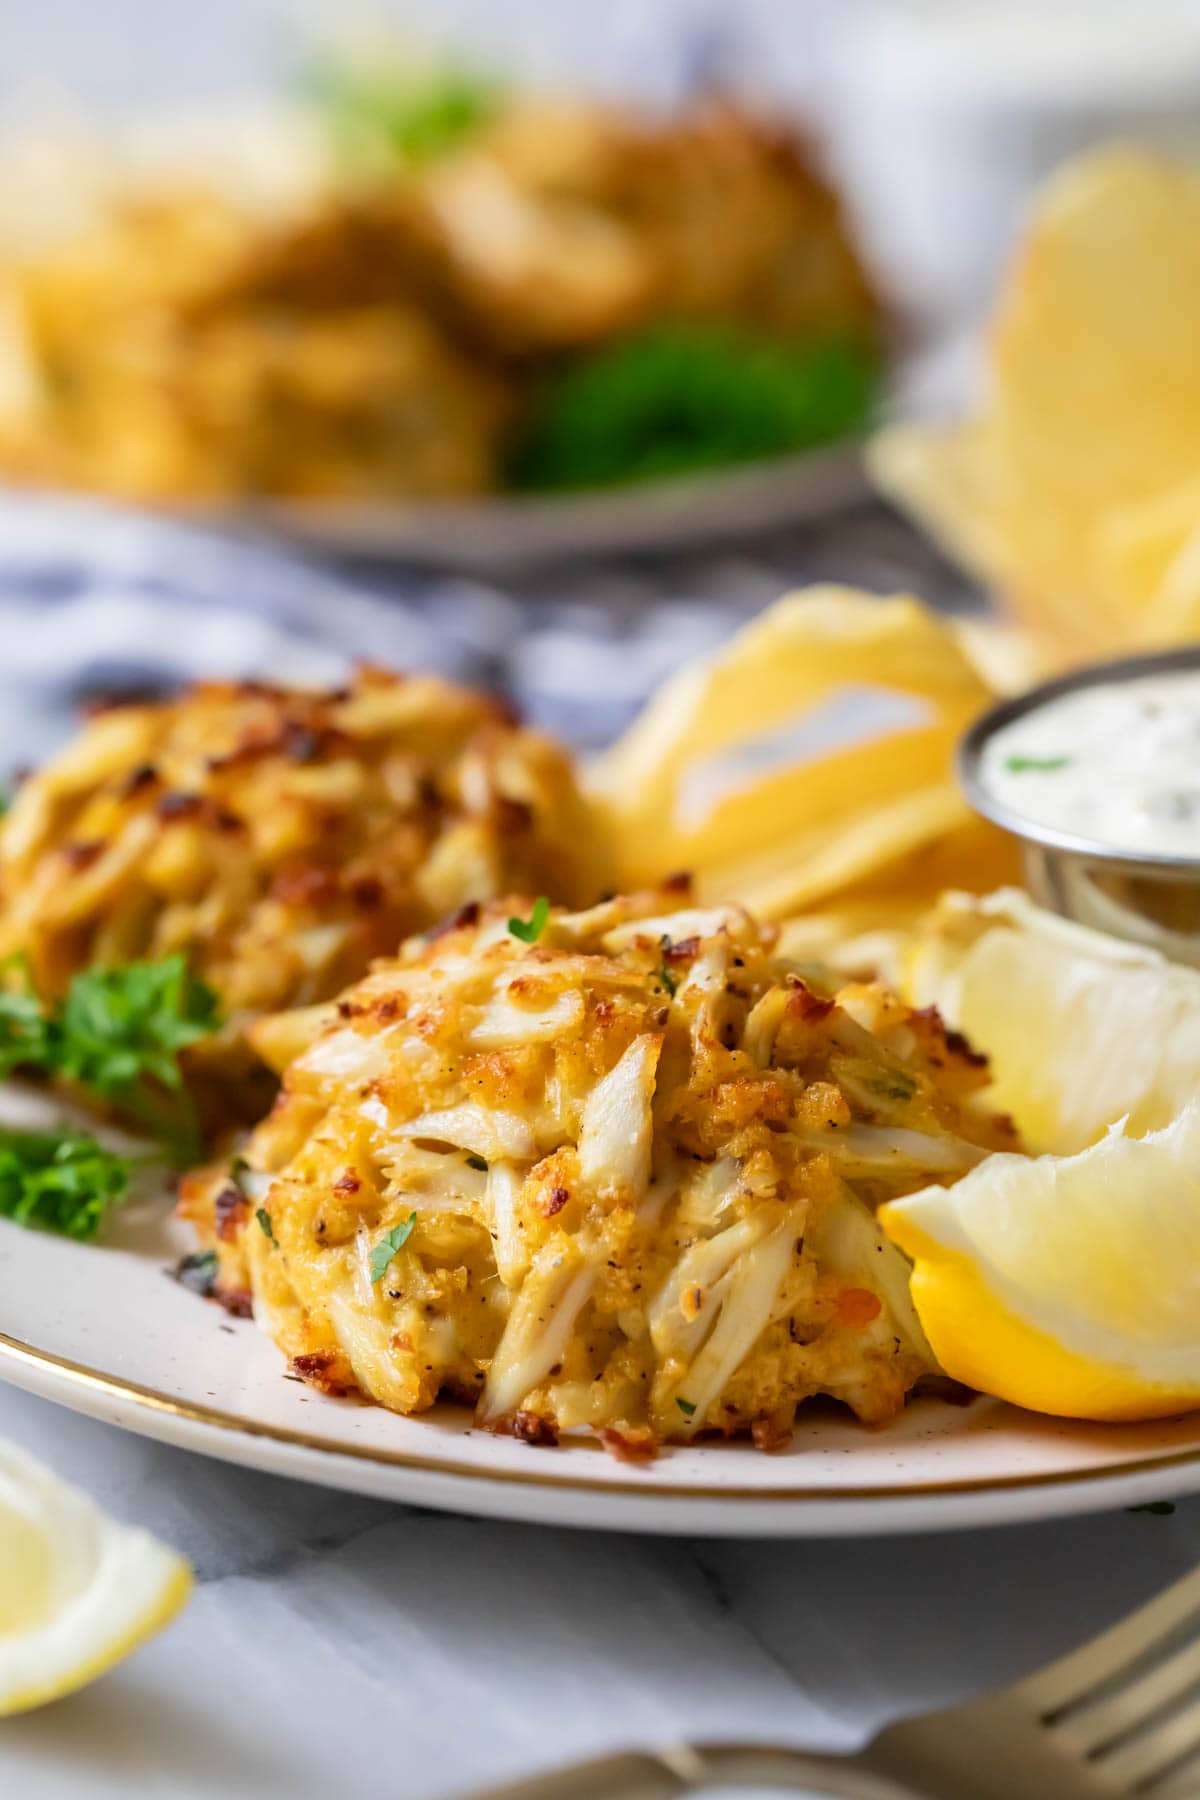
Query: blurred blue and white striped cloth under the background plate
{"points": [[98, 600]]}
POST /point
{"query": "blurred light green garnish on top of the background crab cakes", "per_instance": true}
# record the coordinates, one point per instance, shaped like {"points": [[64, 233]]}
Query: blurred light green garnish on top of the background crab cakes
{"points": [[407, 114]]}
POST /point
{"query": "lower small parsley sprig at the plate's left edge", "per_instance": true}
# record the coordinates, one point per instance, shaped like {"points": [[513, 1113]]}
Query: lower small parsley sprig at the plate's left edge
{"points": [[60, 1180]]}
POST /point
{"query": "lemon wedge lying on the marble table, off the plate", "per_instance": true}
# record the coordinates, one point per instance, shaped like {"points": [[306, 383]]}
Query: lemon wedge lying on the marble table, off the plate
{"points": [[78, 1590]]}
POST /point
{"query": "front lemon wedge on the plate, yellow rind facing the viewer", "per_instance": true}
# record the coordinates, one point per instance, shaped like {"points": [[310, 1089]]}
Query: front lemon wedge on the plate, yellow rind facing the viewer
{"points": [[1068, 1284]]}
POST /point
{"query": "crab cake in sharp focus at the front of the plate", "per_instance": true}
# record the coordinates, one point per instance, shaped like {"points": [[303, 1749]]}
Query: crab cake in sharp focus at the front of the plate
{"points": [[609, 1169]]}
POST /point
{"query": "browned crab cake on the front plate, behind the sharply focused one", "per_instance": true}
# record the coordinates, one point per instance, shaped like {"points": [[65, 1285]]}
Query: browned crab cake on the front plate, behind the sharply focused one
{"points": [[282, 840]]}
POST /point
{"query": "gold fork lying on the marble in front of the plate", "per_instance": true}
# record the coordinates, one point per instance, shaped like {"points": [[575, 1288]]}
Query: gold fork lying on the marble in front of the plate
{"points": [[1120, 1716]]}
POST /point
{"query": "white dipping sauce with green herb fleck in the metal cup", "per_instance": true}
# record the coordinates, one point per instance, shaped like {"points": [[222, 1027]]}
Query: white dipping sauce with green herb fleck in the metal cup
{"points": [[1118, 764]]}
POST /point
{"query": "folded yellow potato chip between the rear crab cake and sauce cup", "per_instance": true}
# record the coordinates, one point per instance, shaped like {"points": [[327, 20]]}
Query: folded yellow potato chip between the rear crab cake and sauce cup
{"points": [[809, 759]]}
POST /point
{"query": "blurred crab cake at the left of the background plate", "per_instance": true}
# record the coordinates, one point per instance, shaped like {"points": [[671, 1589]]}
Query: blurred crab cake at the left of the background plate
{"points": [[183, 348]]}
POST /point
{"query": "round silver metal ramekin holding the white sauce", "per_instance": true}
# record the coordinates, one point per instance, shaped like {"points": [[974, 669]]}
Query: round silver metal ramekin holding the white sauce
{"points": [[1152, 901]]}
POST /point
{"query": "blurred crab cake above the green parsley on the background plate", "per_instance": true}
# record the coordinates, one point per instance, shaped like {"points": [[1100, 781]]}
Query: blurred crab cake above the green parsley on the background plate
{"points": [[566, 222]]}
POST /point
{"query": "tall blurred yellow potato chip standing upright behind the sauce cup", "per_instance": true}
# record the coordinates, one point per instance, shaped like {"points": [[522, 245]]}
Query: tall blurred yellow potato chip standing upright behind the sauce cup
{"points": [[1077, 490]]}
